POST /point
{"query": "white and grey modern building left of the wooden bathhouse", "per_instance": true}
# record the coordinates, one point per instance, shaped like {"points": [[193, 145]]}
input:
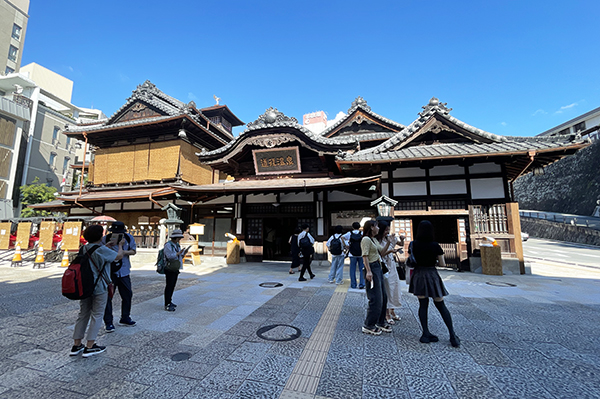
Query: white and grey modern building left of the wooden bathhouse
{"points": [[37, 114]]}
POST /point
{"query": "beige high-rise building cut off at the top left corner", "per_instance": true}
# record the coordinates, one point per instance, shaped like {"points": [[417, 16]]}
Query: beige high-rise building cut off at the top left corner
{"points": [[13, 25]]}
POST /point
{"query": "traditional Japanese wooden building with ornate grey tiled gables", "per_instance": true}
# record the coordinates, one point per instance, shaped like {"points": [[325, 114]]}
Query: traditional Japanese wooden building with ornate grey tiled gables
{"points": [[277, 174]]}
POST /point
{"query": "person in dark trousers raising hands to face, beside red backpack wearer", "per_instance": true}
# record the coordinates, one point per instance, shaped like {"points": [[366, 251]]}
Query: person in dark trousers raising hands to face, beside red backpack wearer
{"points": [[120, 271]]}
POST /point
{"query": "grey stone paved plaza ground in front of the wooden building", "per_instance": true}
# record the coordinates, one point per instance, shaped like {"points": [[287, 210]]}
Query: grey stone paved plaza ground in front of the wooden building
{"points": [[536, 340]]}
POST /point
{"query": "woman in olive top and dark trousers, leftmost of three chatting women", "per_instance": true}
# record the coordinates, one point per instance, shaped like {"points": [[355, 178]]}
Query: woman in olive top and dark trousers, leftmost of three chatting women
{"points": [[375, 321]]}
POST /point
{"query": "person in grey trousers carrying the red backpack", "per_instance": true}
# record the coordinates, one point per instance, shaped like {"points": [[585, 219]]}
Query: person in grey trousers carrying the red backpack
{"points": [[98, 258]]}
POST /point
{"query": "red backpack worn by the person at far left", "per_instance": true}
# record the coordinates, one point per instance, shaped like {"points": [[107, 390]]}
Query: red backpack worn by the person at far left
{"points": [[78, 280]]}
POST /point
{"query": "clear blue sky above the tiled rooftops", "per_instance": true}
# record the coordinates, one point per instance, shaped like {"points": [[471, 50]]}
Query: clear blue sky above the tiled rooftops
{"points": [[507, 67]]}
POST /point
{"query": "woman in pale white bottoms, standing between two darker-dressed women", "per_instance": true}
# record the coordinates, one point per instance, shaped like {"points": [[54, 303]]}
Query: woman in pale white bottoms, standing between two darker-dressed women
{"points": [[392, 280]]}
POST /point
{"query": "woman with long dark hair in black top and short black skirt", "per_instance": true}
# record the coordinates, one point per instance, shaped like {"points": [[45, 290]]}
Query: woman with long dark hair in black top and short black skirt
{"points": [[426, 282]]}
